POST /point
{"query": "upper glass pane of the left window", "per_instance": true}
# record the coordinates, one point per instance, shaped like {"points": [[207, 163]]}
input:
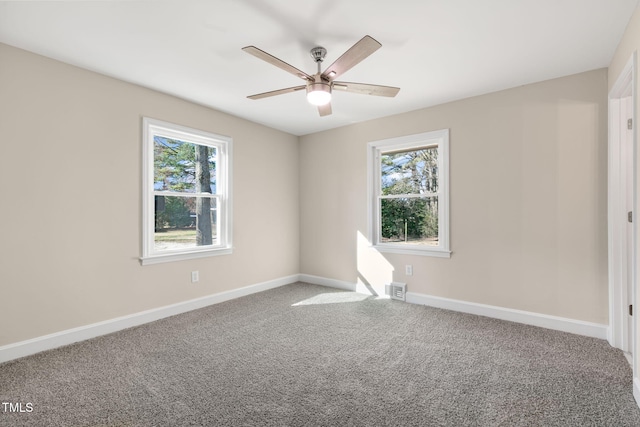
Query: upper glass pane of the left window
{"points": [[183, 166]]}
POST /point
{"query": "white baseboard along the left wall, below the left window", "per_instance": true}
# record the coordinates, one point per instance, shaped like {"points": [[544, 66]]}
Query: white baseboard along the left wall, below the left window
{"points": [[70, 336]]}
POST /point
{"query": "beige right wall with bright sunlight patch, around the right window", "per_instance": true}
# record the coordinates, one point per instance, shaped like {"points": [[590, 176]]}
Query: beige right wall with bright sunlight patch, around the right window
{"points": [[528, 200]]}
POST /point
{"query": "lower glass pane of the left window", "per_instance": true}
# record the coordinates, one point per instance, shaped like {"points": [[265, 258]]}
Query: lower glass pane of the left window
{"points": [[184, 222]]}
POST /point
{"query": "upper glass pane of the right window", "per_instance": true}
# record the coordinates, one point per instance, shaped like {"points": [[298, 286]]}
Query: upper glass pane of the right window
{"points": [[410, 172]]}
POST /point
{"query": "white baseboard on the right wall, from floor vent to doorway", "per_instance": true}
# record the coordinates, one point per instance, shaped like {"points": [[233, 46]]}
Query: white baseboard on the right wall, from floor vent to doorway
{"points": [[578, 327]]}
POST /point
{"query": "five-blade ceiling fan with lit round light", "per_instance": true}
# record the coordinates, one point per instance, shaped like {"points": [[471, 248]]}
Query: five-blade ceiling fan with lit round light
{"points": [[320, 85]]}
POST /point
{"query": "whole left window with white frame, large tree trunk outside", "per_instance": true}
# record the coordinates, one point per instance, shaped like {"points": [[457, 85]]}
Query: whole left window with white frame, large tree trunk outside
{"points": [[187, 193]]}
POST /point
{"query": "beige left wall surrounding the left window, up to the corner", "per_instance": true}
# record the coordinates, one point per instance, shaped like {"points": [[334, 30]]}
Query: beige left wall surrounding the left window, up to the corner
{"points": [[70, 169]]}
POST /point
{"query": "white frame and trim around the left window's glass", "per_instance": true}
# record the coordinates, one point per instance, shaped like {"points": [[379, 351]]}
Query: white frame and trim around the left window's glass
{"points": [[224, 145]]}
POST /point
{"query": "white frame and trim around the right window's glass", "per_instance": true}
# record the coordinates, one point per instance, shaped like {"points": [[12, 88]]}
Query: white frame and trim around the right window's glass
{"points": [[374, 150]]}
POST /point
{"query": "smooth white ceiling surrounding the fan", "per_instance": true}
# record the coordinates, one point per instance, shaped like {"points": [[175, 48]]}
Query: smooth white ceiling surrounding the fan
{"points": [[434, 50]]}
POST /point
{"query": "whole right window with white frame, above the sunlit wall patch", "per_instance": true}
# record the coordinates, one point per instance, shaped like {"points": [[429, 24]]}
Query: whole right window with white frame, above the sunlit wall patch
{"points": [[409, 194]]}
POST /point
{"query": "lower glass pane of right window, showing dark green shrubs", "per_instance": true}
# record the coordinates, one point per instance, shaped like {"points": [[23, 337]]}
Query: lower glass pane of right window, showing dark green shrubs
{"points": [[409, 220]]}
